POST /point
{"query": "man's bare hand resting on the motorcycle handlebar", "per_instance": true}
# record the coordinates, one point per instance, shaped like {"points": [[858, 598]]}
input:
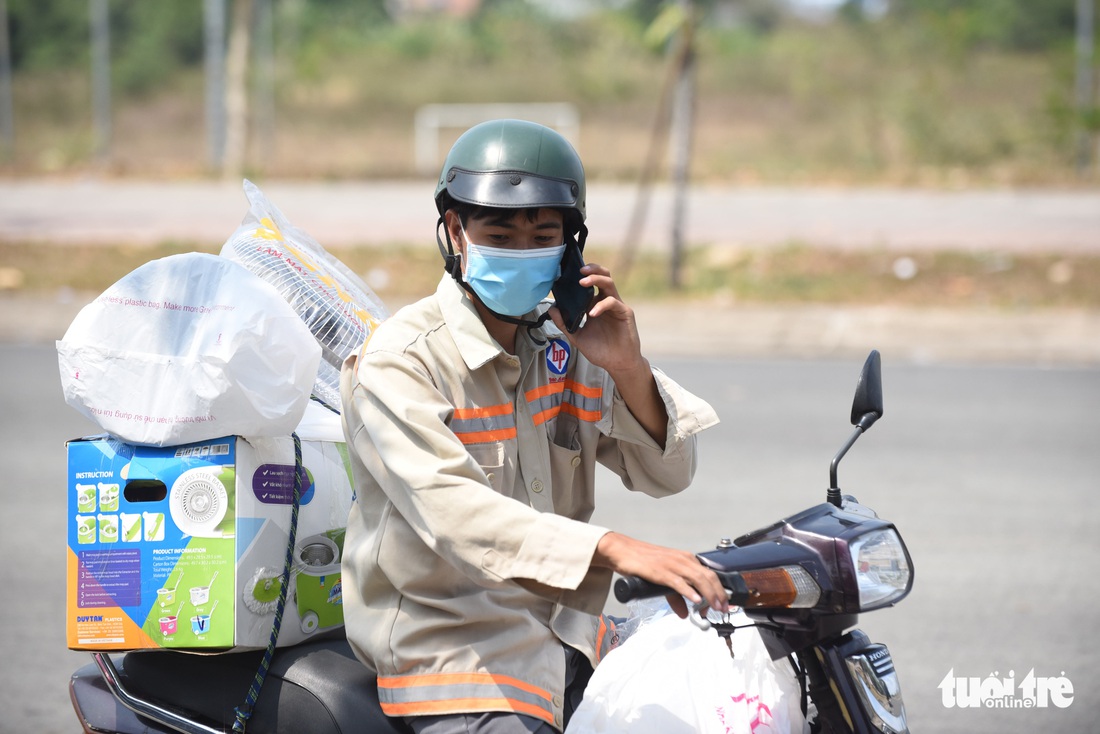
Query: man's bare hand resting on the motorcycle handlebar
{"points": [[678, 571]]}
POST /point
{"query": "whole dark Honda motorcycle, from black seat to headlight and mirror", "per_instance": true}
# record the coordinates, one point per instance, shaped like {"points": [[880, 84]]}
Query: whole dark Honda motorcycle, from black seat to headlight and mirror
{"points": [[804, 582]]}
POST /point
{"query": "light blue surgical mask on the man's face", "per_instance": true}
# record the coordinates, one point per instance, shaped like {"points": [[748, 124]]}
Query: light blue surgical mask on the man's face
{"points": [[512, 282]]}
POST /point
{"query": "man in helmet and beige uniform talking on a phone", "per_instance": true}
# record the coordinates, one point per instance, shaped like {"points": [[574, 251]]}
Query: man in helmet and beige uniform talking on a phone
{"points": [[474, 583]]}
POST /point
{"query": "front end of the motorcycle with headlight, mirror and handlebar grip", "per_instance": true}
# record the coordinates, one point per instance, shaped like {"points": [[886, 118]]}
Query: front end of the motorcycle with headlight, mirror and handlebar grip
{"points": [[805, 582]]}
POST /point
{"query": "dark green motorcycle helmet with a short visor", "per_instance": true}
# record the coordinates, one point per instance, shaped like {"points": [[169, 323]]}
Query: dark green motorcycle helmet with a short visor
{"points": [[514, 165]]}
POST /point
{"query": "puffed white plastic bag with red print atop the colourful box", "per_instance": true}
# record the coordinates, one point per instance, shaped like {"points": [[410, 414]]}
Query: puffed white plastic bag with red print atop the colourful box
{"points": [[185, 349]]}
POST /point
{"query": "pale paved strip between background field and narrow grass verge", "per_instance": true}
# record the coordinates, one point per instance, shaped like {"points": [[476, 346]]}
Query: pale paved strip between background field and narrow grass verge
{"points": [[386, 212]]}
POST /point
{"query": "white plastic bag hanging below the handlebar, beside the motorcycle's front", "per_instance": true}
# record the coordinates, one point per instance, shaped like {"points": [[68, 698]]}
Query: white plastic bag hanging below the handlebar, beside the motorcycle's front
{"points": [[669, 677]]}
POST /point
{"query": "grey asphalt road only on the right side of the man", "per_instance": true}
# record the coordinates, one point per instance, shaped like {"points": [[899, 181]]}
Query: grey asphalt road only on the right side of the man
{"points": [[993, 477]]}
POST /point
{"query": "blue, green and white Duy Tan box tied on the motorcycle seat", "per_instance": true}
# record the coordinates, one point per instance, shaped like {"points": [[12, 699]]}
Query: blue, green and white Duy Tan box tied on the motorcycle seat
{"points": [[185, 546]]}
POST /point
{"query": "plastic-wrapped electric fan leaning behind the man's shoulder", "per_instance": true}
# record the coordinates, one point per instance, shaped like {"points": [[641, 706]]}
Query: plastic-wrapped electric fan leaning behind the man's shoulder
{"points": [[339, 309]]}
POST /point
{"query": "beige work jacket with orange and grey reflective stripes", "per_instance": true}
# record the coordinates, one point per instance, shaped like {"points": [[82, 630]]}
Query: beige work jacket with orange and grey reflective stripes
{"points": [[467, 560]]}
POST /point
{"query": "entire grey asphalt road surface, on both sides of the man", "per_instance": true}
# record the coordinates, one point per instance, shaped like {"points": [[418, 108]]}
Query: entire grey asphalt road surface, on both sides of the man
{"points": [[992, 474]]}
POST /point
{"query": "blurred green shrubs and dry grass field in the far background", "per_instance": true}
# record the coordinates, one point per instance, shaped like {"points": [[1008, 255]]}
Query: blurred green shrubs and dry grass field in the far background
{"points": [[936, 93]]}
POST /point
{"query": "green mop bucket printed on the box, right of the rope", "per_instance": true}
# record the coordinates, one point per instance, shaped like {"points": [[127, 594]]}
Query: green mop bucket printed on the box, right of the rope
{"points": [[317, 584]]}
